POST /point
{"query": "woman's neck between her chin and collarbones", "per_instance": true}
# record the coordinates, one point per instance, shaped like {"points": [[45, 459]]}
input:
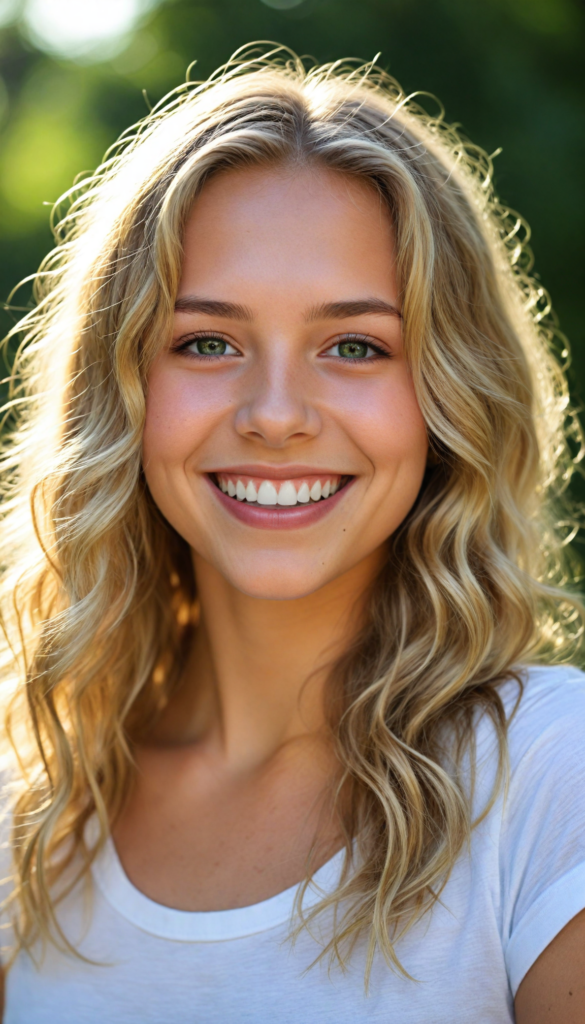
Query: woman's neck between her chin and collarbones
{"points": [[256, 677]]}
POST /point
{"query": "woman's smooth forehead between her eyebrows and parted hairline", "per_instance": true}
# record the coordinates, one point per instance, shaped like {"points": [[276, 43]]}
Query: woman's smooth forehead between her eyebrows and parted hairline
{"points": [[289, 227]]}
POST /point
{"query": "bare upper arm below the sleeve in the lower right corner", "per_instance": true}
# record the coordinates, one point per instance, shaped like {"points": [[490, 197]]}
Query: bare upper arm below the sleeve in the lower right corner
{"points": [[554, 991]]}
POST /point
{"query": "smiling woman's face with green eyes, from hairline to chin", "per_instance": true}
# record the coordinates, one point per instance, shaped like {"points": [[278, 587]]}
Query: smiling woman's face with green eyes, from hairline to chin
{"points": [[283, 438]]}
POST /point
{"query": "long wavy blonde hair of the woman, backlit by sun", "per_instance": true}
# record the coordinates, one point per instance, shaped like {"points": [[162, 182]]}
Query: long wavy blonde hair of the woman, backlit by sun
{"points": [[98, 589]]}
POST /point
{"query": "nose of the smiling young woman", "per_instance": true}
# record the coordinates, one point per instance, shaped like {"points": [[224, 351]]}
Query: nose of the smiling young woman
{"points": [[277, 408]]}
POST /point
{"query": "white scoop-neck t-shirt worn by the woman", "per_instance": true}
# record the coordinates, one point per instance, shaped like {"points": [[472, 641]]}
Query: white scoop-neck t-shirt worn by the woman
{"points": [[517, 887]]}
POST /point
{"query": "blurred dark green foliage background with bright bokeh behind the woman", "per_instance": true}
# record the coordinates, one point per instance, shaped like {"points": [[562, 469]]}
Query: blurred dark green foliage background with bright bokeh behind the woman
{"points": [[75, 73]]}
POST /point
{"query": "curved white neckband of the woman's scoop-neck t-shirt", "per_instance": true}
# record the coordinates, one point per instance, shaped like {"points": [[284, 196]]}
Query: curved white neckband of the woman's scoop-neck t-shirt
{"points": [[206, 926]]}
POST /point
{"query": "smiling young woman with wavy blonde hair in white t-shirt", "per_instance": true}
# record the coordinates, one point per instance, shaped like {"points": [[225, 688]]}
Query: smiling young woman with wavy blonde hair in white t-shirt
{"points": [[291, 741]]}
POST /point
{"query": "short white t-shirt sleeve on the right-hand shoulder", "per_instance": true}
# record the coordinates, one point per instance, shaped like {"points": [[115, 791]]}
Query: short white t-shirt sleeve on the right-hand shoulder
{"points": [[542, 846]]}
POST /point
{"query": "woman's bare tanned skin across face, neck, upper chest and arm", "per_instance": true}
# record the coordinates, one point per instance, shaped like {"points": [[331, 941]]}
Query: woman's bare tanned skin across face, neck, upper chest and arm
{"points": [[234, 789]]}
